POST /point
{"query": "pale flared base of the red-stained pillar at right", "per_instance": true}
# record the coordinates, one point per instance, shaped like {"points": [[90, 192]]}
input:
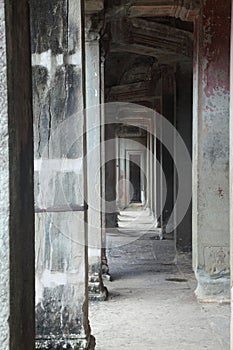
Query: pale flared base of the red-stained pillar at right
{"points": [[213, 288]]}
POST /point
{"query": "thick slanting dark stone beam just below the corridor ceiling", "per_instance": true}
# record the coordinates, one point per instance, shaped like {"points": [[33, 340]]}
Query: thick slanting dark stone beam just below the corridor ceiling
{"points": [[166, 43]]}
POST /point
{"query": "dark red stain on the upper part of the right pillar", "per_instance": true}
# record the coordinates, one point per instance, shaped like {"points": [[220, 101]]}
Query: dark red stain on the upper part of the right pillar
{"points": [[217, 49]]}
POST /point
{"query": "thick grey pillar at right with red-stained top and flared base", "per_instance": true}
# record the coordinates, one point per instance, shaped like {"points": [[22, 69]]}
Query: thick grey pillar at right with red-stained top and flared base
{"points": [[211, 151]]}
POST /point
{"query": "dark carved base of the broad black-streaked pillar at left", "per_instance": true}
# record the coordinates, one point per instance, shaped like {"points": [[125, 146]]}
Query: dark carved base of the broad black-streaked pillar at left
{"points": [[61, 343]]}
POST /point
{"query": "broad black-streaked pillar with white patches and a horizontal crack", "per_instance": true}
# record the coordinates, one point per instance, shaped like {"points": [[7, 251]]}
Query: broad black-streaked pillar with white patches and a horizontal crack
{"points": [[60, 175]]}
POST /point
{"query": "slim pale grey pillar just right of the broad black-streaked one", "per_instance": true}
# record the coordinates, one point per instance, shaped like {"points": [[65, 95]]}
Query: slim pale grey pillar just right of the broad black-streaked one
{"points": [[93, 117]]}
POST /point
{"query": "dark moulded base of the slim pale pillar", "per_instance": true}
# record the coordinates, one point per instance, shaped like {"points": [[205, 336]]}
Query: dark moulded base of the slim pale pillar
{"points": [[96, 290]]}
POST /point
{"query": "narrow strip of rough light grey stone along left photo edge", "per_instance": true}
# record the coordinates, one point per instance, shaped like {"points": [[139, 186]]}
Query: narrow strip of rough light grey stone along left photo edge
{"points": [[4, 193]]}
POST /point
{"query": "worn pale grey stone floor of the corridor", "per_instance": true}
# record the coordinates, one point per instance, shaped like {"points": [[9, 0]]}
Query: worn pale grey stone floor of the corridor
{"points": [[151, 301]]}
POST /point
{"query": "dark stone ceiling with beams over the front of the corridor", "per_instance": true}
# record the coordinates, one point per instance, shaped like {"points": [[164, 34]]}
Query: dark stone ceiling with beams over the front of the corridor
{"points": [[145, 34]]}
